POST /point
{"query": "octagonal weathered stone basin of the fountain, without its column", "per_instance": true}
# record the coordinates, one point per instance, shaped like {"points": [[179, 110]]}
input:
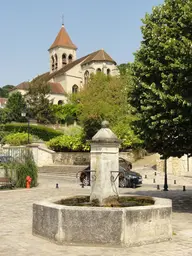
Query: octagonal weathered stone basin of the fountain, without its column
{"points": [[110, 226]]}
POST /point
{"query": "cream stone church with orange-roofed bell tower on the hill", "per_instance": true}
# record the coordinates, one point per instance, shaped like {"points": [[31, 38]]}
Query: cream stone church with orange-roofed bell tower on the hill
{"points": [[68, 74]]}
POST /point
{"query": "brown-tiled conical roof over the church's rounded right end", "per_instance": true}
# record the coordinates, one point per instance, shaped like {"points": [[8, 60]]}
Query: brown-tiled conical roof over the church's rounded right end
{"points": [[99, 55]]}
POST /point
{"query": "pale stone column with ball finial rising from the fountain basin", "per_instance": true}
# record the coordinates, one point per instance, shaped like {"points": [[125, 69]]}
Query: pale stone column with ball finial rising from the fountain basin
{"points": [[104, 164]]}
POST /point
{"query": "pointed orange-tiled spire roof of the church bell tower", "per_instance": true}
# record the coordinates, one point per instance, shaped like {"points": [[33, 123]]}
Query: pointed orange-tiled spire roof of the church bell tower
{"points": [[63, 40]]}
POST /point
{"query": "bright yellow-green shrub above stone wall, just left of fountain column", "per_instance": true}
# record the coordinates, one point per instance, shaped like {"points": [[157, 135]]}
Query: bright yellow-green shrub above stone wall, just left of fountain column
{"points": [[68, 143]]}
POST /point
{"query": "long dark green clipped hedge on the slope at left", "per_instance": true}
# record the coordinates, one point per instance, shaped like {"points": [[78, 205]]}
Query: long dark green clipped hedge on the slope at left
{"points": [[42, 132]]}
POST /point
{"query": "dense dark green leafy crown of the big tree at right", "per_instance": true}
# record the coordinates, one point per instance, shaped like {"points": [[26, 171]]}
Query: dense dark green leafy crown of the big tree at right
{"points": [[162, 92]]}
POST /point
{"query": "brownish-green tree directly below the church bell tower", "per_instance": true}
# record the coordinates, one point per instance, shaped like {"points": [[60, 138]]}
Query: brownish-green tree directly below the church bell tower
{"points": [[39, 105]]}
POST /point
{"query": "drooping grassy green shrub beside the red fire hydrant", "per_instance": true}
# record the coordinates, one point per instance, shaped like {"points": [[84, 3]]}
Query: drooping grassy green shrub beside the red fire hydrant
{"points": [[19, 169]]}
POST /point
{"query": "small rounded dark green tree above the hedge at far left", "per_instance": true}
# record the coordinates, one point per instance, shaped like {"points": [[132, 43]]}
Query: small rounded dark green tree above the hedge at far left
{"points": [[14, 107]]}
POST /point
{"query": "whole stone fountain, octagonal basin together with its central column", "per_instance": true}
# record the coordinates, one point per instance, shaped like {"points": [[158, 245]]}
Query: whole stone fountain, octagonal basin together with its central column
{"points": [[125, 226]]}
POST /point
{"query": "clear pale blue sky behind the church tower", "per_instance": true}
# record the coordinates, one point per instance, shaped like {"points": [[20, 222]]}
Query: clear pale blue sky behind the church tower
{"points": [[29, 27]]}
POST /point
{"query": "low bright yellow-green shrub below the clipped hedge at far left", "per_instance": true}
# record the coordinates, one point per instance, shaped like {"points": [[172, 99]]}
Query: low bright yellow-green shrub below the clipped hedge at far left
{"points": [[17, 139]]}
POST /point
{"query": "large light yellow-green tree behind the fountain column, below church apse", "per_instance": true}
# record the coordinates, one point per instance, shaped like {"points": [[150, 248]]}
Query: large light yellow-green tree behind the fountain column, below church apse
{"points": [[105, 98]]}
